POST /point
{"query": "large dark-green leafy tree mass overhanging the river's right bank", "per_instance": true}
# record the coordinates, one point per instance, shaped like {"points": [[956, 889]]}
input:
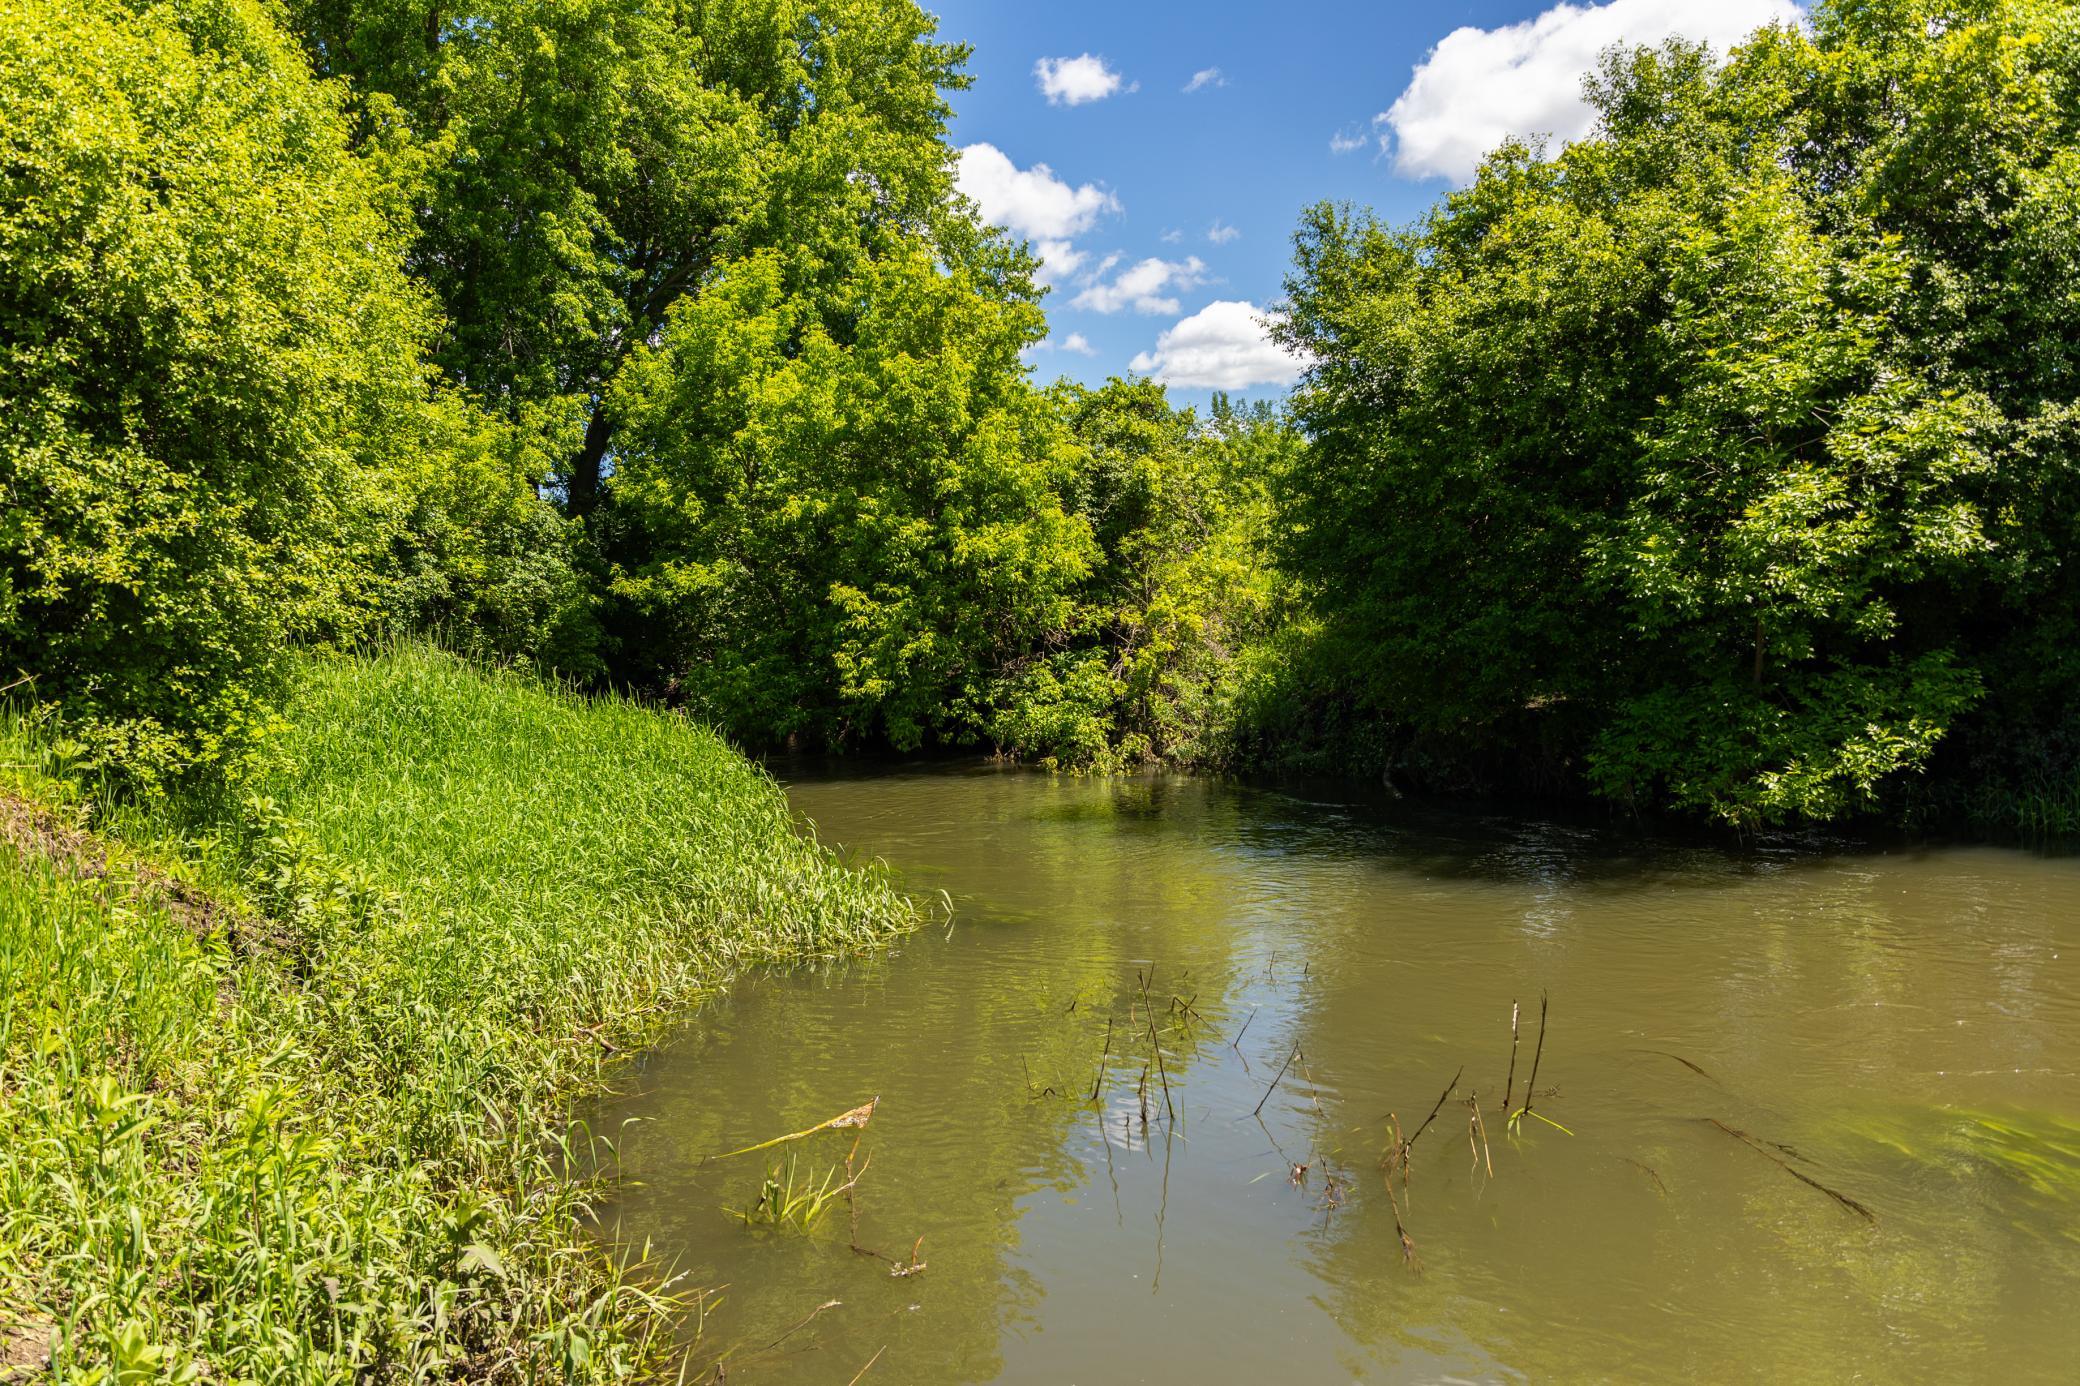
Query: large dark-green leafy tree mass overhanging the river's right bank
{"points": [[1723, 455]]}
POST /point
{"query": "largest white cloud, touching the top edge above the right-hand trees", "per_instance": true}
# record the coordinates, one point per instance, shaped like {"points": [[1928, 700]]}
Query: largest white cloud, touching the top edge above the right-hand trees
{"points": [[1480, 86]]}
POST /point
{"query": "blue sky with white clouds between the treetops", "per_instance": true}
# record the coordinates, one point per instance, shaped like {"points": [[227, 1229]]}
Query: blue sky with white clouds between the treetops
{"points": [[1160, 155]]}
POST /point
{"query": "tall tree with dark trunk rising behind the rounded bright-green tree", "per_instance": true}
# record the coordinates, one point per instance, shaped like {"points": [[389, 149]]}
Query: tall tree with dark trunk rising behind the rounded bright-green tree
{"points": [[577, 168]]}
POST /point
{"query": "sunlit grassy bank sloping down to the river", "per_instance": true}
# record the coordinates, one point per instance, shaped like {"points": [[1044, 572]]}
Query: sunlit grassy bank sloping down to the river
{"points": [[286, 1075]]}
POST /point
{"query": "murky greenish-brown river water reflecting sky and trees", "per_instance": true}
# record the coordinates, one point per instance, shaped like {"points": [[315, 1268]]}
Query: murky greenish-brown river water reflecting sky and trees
{"points": [[1902, 1027]]}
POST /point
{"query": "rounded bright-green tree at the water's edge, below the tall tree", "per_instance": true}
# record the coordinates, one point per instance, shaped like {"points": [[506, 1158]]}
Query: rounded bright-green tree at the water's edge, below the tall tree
{"points": [[831, 528]]}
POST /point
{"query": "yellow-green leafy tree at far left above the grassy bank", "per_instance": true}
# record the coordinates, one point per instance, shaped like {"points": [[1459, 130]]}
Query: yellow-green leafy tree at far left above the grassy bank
{"points": [[209, 369]]}
